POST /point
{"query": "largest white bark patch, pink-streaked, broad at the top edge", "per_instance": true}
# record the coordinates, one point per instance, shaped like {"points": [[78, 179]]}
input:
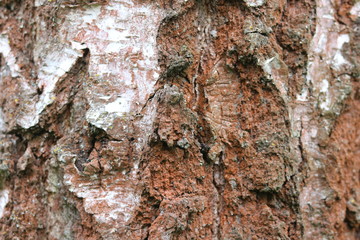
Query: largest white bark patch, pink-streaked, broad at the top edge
{"points": [[121, 37]]}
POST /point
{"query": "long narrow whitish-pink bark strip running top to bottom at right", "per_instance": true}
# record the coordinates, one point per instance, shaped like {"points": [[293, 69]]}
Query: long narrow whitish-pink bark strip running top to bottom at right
{"points": [[325, 61]]}
